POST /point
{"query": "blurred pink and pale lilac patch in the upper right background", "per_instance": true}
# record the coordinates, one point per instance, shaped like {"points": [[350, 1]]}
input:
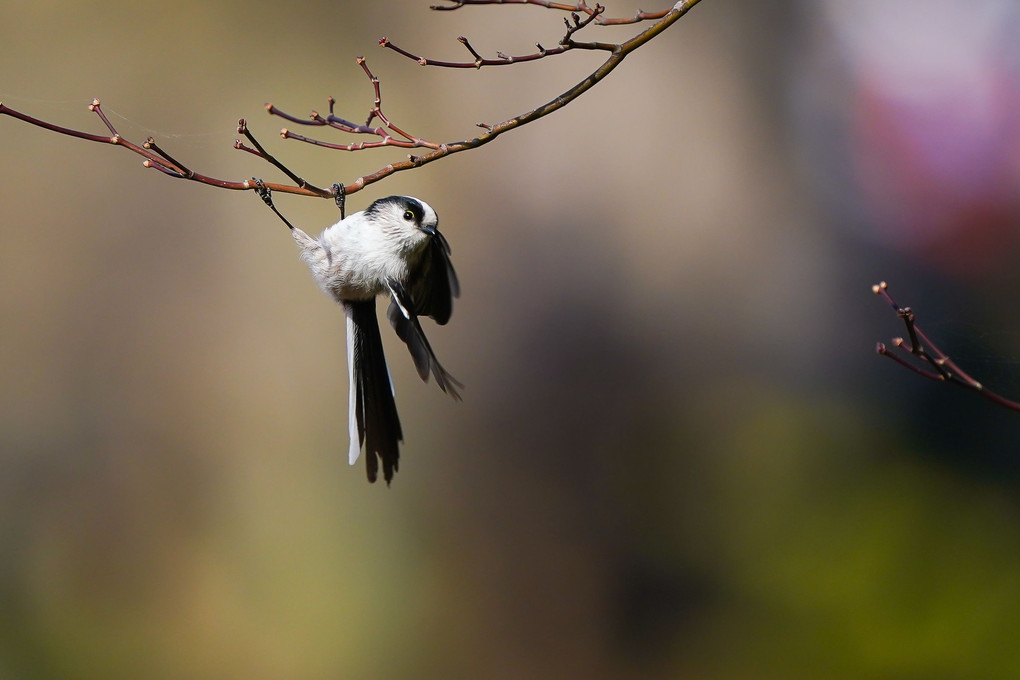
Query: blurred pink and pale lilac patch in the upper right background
{"points": [[935, 110]]}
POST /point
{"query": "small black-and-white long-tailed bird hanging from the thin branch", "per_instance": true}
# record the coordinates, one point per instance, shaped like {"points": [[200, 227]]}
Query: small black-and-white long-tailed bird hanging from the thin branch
{"points": [[392, 248]]}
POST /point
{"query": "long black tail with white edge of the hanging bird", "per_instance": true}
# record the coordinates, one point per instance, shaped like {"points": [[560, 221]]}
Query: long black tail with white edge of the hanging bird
{"points": [[374, 421]]}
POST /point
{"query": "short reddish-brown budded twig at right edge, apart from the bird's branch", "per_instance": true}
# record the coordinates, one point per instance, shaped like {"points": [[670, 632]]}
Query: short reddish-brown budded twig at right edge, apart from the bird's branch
{"points": [[926, 353]]}
